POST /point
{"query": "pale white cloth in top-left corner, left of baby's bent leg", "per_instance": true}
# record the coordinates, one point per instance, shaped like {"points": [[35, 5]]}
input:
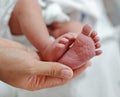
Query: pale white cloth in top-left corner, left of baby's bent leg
{"points": [[6, 7]]}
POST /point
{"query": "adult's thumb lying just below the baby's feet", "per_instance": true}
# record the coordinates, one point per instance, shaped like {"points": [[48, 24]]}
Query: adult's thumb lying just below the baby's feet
{"points": [[53, 69]]}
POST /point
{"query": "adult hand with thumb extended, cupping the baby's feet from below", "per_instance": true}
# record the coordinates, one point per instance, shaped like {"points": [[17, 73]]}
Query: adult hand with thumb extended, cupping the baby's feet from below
{"points": [[22, 68]]}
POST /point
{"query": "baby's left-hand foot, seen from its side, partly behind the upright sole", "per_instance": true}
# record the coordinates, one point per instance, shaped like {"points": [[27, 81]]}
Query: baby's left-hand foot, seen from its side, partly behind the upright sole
{"points": [[54, 51]]}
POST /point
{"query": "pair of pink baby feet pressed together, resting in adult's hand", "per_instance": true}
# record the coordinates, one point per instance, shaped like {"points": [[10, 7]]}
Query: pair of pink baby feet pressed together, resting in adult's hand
{"points": [[73, 49]]}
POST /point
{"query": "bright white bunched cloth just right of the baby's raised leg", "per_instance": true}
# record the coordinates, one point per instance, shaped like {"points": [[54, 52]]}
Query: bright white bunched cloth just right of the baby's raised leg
{"points": [[53, 13]]}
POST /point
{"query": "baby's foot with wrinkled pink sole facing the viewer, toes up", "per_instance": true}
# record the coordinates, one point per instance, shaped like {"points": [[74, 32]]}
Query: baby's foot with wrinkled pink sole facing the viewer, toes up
{"points": [[84, 48]]}
